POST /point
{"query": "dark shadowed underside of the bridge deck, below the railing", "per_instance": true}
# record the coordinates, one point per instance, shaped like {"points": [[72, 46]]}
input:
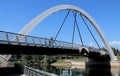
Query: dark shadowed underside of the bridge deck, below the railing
{"points": [[19, 49]]}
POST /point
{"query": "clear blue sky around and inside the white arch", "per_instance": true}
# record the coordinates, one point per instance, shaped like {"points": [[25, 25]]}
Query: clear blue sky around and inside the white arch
{"points": [[15, 14]]}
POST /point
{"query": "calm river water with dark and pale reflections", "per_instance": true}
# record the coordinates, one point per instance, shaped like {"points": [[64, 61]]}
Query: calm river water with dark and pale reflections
{"points": [[61, 71]]}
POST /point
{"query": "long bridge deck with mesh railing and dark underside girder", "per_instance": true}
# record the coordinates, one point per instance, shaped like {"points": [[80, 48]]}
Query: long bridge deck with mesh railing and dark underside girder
{"points": [[12, 43]]}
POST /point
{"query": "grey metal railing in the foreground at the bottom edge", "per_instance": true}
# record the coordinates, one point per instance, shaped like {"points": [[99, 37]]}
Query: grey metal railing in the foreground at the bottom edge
{"points": [[28, 71]]}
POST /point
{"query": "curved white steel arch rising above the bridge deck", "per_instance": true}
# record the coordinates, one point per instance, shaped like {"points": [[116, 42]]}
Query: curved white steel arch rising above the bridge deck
{"points": [[33, 23]]}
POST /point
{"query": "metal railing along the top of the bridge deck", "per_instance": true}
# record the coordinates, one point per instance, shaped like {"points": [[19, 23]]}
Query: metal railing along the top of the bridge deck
{"points": [[19, 39]]}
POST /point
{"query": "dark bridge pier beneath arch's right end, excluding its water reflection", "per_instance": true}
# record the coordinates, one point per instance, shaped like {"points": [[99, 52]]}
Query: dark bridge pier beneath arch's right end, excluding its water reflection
{"points": [[95, 60]]}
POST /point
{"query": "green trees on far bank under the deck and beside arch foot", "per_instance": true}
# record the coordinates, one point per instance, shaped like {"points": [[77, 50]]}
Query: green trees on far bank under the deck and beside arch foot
{"points": [[26, 59]]}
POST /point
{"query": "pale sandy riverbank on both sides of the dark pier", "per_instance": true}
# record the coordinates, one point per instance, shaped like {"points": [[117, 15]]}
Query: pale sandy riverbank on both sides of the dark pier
{"points": [[80, 64]]}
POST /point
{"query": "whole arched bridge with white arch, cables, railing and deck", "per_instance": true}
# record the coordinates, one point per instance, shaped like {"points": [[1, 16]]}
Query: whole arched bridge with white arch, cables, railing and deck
{"points": [[22, 43]]}
